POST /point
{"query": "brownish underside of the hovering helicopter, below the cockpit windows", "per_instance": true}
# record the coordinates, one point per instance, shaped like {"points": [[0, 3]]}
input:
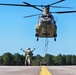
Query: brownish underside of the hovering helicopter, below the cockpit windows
{"points": [[46, 30]]}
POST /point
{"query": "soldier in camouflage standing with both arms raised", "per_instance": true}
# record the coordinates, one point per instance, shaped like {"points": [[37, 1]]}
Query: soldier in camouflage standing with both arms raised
{"points": [[28, 54]]}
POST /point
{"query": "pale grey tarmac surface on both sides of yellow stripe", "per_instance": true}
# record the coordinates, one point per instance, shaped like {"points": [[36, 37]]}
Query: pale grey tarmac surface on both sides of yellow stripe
{"points": [[35, 70]]}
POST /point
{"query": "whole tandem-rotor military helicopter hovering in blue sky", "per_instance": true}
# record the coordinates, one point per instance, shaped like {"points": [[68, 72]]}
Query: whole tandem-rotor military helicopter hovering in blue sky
{"points": [[46, 26]]}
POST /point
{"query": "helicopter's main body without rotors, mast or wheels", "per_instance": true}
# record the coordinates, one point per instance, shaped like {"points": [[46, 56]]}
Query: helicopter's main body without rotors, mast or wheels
{"points": [[46, 26]]}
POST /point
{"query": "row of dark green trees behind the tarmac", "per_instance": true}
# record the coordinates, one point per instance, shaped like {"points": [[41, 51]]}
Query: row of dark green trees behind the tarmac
{"points": [[17, 59]]}
